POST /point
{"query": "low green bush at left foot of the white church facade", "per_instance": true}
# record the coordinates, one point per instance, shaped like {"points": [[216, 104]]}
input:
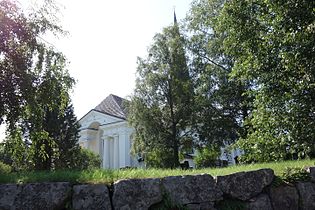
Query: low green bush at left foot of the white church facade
{"points": [[87, 160]]}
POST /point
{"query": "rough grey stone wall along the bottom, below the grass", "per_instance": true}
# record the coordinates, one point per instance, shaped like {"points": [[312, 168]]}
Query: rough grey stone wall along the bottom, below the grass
{"points": [[245, 190]]}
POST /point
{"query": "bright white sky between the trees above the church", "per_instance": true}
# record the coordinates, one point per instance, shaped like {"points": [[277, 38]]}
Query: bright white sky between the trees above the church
{"points": [[105, 38]]}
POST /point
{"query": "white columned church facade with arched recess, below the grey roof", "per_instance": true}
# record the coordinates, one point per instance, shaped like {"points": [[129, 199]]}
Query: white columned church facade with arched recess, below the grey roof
{"points": [[108, 136]]}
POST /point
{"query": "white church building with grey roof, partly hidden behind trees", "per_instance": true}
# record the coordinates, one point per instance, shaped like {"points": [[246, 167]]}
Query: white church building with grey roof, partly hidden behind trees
{"points": [[105, 131]]}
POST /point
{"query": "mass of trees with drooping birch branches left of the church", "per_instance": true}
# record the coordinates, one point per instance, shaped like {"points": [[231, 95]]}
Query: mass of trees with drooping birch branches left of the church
{"points": [[34, 91]]}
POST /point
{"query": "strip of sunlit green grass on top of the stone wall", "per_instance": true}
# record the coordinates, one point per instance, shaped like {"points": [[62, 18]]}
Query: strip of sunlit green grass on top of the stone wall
{"points": [[109, 176]]}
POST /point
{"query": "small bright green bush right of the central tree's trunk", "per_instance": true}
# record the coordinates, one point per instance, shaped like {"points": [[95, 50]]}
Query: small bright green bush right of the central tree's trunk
{"points": [[206, 157]]}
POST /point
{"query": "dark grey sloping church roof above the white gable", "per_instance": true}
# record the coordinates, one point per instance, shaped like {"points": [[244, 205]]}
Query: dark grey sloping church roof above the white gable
{"points": [[112, 105]]}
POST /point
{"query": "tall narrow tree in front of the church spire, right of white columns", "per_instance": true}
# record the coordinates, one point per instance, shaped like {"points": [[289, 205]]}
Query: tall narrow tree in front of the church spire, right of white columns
{"points": [[162, 104]]}
